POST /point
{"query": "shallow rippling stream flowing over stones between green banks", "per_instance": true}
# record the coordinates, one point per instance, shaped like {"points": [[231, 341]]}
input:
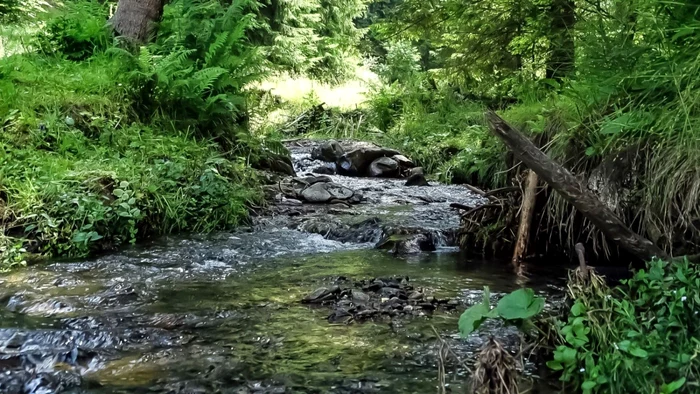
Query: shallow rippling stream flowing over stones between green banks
{"points": [[221, 313]]}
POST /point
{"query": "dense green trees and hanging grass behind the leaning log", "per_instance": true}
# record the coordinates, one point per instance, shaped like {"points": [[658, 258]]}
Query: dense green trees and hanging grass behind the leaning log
{"points": [[588, 81]]}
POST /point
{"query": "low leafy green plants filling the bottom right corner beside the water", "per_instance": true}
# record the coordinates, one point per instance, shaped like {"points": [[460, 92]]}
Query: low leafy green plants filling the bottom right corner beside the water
{"points": [[642, 337]]}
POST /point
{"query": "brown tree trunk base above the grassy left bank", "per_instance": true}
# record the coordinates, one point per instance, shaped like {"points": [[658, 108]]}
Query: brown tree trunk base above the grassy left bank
{"points": [[135, 19]]}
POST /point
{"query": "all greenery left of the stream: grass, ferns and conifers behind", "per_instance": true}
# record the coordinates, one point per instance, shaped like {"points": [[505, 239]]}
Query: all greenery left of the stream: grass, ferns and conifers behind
{"points": [[104, 144]]}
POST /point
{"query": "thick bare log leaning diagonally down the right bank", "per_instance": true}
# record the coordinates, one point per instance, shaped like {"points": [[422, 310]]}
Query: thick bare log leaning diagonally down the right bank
{"points": [[564, 183]]}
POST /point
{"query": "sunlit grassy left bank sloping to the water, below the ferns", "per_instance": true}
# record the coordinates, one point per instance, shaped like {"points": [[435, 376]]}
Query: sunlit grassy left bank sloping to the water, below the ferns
{"points": [[81, 173]]}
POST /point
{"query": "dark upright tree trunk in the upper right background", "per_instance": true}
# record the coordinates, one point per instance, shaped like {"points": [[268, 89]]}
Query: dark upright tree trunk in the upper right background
{"points": [[561, 59]]}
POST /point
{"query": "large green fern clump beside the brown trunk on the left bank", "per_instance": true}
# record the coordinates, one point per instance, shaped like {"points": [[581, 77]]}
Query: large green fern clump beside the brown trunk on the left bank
{"points": [[194, 74]]}
